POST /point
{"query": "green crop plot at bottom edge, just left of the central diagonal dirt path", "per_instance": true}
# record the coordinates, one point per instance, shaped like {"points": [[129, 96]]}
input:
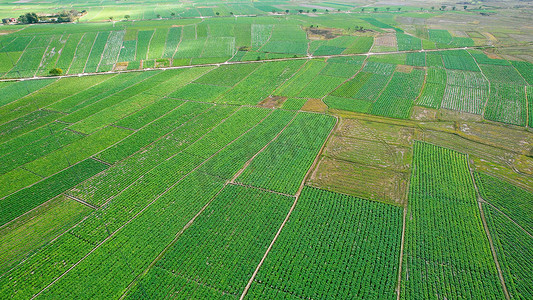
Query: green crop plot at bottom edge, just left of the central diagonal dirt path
{"points": [[236, 228]]}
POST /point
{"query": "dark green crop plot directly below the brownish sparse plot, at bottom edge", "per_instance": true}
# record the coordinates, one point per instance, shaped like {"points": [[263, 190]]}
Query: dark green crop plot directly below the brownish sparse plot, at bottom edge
{"points": [[347, 247]]}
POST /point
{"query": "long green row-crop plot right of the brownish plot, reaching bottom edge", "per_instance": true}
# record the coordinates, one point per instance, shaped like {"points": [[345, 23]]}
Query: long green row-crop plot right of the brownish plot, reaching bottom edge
{"points": [[447, 252]]}
